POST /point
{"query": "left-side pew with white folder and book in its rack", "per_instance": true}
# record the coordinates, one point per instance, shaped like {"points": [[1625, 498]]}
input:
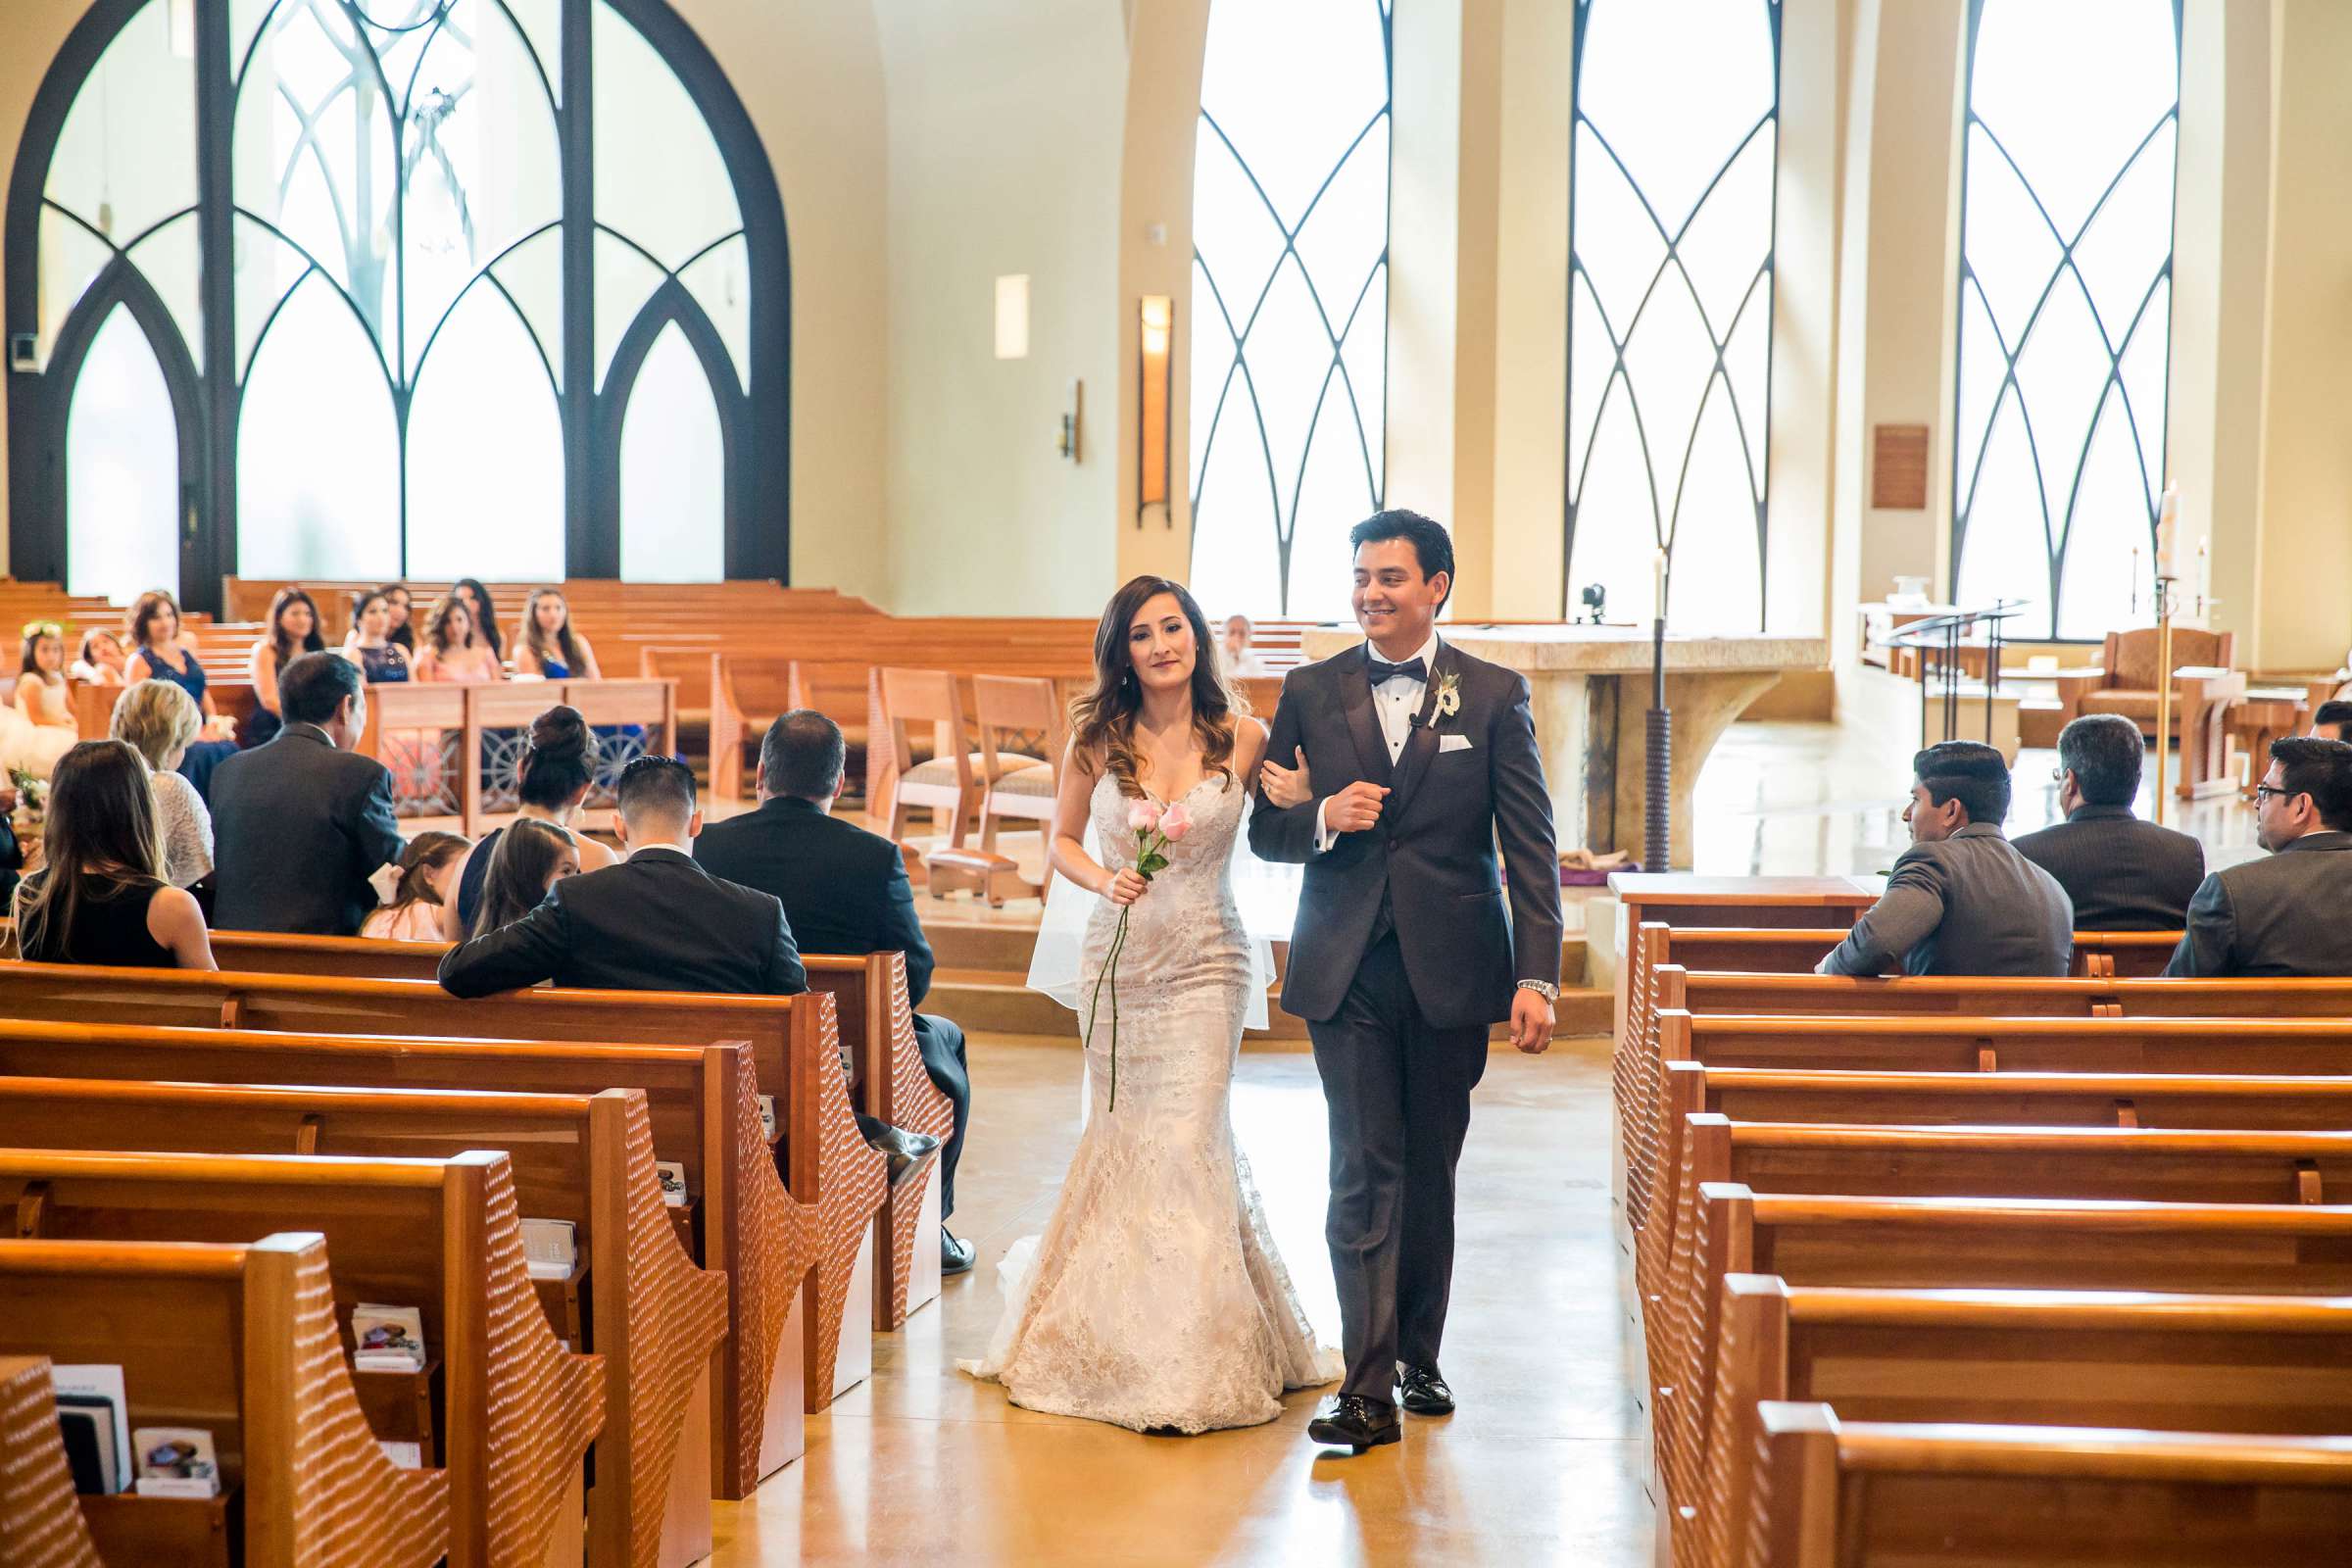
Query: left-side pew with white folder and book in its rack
{"points": [[243, 1343]]}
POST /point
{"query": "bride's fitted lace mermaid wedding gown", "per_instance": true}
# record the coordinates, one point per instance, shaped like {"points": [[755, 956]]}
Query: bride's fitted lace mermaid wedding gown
{"points": [[1156, 1296]]}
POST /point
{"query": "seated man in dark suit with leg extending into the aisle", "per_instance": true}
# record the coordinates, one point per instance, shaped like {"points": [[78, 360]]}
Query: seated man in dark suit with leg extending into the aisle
{"points": [[846, 892]]}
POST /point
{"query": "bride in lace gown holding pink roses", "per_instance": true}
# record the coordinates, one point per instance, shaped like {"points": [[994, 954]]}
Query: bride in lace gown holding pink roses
{"points": [[1156, 1299]]}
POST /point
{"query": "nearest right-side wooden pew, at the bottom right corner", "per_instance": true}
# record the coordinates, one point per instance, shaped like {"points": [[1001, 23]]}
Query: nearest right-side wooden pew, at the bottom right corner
{"points": [[1878, 1494]]}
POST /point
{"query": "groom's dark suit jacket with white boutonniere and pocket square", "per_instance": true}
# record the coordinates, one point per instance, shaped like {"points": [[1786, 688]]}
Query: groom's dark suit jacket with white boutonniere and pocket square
{"points": [[1431, 855]]}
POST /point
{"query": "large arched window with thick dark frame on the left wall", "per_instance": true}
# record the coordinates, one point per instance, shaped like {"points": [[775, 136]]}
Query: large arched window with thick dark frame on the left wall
{"points": [[385, 279]]}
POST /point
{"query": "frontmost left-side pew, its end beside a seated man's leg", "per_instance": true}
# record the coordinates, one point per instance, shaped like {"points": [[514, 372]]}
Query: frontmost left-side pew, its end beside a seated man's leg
{"points": [[876, 1019]]}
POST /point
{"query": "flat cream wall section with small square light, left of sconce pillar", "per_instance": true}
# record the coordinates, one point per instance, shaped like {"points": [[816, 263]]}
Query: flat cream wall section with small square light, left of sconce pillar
{"points": [[1003, 159]]}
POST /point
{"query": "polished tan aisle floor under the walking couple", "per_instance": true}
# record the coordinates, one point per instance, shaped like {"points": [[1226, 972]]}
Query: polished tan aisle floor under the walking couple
{"points": [[923, 1466]]}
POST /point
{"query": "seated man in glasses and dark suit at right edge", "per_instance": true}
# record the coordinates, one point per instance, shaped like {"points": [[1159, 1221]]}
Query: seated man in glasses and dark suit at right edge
{"points": [[2287, 913]]}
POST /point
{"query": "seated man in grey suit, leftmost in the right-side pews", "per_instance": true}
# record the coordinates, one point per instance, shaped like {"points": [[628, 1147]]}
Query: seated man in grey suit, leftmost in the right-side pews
{"points": [[1963, 902]]}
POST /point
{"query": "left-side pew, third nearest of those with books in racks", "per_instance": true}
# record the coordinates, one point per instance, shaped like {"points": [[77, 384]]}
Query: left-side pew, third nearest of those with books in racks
{"points": [[636, 1301]]}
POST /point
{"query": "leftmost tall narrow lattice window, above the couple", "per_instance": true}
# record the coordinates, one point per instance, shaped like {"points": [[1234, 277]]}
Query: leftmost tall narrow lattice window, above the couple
{"points": [[1290, 300]]}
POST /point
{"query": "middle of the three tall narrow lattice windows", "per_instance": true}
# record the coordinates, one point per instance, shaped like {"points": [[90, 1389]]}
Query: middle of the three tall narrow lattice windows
{"points": [[1671, 248]]}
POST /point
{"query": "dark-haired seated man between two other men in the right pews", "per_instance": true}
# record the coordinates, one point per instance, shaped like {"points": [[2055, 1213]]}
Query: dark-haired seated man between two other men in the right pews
{"points": [[2123, 873]]}
